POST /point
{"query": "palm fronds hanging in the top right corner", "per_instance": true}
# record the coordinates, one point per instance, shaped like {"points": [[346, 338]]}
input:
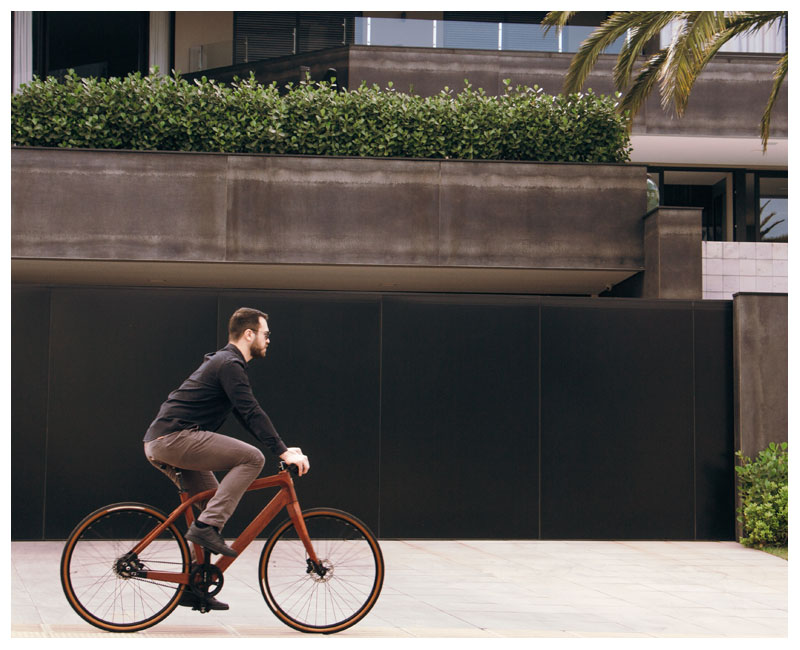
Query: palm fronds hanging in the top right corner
{"points": [[675, 68]]}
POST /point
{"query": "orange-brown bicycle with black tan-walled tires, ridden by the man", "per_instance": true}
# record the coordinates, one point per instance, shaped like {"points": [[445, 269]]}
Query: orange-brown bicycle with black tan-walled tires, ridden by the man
{"points": [[126, 566]]}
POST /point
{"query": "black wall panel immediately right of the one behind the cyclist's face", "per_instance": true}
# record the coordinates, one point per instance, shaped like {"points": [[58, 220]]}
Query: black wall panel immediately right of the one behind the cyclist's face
{"points": [[459, 429]]}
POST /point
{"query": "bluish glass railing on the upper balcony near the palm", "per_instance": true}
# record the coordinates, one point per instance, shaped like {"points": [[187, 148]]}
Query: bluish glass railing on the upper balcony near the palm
{"points": [[406, 32]]}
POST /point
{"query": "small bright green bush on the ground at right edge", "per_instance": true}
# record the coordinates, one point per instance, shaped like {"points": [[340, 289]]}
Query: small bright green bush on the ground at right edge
{"points": [[764, 492]]}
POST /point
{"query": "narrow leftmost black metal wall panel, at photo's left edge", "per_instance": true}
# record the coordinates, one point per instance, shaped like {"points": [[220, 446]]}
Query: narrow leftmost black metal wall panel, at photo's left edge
{"points": [[30, 326]]}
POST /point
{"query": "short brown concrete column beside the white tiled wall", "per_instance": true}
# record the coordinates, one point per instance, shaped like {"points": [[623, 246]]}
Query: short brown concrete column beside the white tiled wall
{"points": [[673, 255]]}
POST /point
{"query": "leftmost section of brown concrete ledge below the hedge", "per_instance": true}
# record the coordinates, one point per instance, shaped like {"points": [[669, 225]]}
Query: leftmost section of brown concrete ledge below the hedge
{"points": [[110, 205]]}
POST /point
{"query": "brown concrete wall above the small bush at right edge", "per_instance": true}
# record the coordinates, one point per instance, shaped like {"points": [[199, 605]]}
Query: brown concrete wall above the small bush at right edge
{"points": [[760, 354]]}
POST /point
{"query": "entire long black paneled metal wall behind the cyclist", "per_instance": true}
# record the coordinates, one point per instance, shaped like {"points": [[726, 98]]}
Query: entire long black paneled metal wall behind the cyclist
{"points": [[427, 415]]}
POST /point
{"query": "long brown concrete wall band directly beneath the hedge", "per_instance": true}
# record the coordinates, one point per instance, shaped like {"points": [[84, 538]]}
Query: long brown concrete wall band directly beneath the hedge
{"points": [[111, 205]]}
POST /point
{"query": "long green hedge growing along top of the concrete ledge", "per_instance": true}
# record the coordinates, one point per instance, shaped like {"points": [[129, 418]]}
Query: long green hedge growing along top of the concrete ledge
{"points": [[172, 114]]}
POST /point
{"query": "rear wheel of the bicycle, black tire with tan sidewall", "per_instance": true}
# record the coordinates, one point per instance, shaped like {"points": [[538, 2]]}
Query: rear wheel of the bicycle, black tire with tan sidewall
{"points": [[92, 579]]}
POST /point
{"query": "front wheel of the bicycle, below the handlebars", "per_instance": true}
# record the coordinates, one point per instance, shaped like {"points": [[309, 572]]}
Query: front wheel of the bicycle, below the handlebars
{"points": [[353, 578]]}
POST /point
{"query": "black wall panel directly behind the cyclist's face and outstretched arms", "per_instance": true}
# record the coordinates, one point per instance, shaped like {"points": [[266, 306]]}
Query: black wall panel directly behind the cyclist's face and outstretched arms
{"points": [[320, 385]]}
